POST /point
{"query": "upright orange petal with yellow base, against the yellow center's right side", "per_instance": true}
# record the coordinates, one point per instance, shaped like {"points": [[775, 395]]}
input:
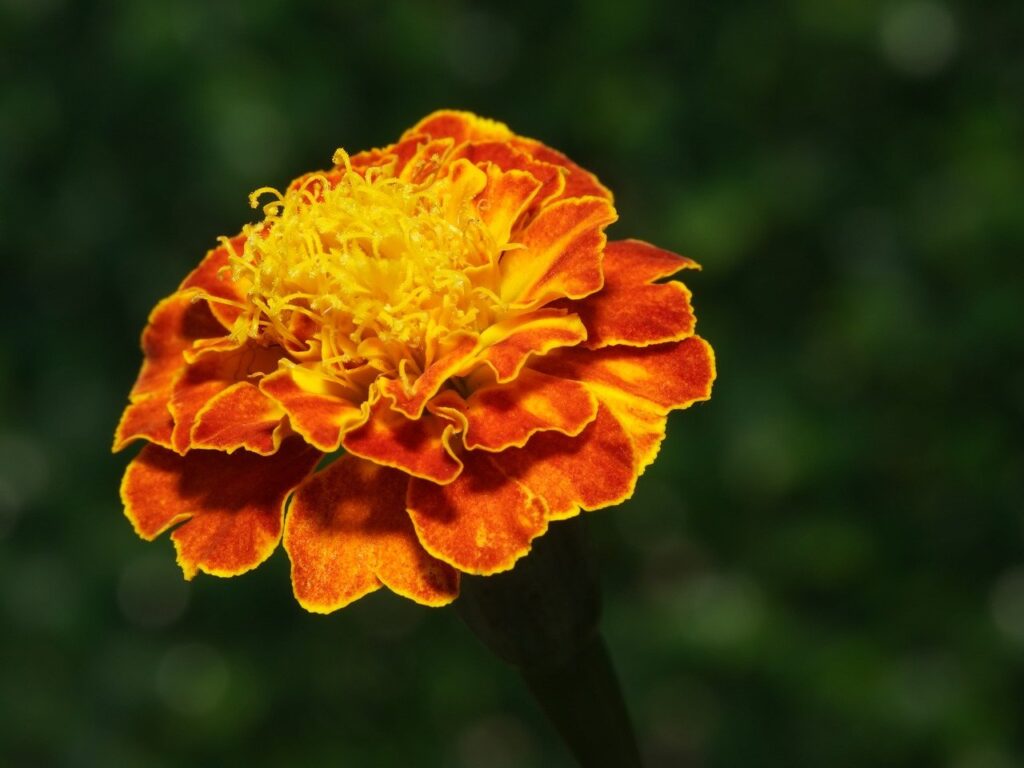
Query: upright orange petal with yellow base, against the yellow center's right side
{"points": [[562, 254]]}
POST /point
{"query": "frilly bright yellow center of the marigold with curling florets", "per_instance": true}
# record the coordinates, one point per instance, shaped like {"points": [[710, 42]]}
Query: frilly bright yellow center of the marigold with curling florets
{"points": [[369, 269]]}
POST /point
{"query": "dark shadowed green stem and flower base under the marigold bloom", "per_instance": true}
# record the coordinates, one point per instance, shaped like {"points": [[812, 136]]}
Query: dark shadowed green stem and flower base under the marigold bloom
{"points": [[542, 618]]}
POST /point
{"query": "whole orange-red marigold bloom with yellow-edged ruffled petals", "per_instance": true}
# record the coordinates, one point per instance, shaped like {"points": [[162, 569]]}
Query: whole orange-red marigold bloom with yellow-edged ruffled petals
{"points": [[448, 315]]}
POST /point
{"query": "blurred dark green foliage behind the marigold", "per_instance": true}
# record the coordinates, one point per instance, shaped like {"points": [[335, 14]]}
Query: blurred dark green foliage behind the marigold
{"points": [[826, 566]]}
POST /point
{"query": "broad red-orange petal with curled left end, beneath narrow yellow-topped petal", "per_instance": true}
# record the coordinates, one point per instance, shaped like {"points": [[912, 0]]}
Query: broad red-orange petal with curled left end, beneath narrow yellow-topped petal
{"points": [[502, 416]]}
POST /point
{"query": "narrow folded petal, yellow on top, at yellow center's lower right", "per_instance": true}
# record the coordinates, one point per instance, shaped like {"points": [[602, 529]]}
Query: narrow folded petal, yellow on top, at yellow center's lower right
{"points": [[507, 346]]}
